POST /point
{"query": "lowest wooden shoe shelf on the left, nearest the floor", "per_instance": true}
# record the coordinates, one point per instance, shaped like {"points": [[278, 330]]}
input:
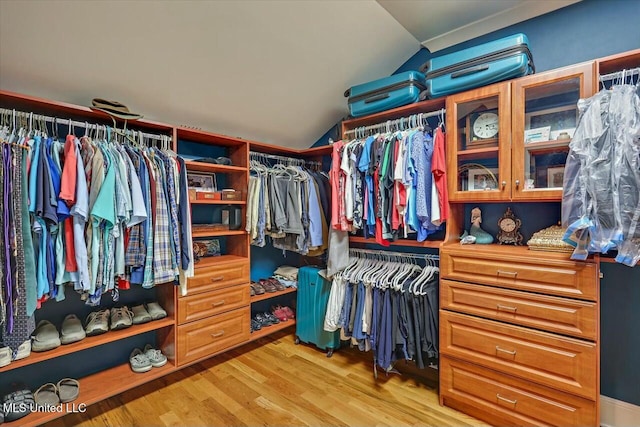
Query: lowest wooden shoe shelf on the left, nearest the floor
{"points": [[97, 387]]}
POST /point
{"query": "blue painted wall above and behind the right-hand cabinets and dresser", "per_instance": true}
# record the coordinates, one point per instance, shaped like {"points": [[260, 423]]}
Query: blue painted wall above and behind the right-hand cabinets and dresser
{"points": [[582, 32]]}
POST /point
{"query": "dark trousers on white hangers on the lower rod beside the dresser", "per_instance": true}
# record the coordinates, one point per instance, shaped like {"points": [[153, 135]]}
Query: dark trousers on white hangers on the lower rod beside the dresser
{"points": [[387, 307]]}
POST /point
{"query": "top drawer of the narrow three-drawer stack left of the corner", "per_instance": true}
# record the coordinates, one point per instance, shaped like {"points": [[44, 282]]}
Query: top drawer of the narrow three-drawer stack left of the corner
{"points": [[215, 277]]}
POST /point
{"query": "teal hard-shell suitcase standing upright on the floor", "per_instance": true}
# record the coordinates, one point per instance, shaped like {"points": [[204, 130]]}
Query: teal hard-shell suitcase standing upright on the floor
{"points": [[312, 300]]}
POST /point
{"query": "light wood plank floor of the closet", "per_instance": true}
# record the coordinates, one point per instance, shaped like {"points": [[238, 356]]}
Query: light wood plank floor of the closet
{"points": [[274, 382]]}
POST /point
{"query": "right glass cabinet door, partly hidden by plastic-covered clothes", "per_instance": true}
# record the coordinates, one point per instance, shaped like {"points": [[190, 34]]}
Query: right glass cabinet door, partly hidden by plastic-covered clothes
{"points": [[545, 117]]}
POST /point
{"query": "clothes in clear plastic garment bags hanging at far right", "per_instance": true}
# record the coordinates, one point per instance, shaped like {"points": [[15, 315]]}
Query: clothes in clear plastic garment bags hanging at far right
{"points": [[601, 189]]}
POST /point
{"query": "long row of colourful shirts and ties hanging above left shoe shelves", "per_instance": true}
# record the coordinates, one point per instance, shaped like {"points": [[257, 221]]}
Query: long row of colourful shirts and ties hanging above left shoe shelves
{"points": [[79, 211]]}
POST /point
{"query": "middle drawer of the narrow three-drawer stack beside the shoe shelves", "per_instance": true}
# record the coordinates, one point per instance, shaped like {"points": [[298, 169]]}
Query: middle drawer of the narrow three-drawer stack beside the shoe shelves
{"points": [[195, 307]]}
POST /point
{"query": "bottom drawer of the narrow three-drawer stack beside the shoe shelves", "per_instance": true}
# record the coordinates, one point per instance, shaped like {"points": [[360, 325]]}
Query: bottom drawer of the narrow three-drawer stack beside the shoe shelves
{"points": [[212, 335]]}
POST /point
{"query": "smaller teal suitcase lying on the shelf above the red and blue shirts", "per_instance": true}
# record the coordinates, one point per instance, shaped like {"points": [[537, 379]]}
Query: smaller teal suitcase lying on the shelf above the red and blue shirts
{"points": [[385, 94]]}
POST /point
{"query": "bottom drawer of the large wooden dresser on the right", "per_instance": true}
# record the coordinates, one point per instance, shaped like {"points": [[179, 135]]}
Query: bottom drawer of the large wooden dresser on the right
{"points": [[505, 400]]}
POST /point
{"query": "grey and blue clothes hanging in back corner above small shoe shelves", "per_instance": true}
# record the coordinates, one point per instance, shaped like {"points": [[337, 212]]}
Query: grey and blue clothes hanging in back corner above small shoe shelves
{"points": [[289, 204]]}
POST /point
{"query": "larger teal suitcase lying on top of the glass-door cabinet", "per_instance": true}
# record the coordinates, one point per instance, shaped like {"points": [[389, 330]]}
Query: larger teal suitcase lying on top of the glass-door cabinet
{"points": [[499, 60]]}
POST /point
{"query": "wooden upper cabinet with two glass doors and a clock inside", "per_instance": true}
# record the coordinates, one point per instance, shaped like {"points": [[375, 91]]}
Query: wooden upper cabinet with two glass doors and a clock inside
{"points": [[510, 141]]}
